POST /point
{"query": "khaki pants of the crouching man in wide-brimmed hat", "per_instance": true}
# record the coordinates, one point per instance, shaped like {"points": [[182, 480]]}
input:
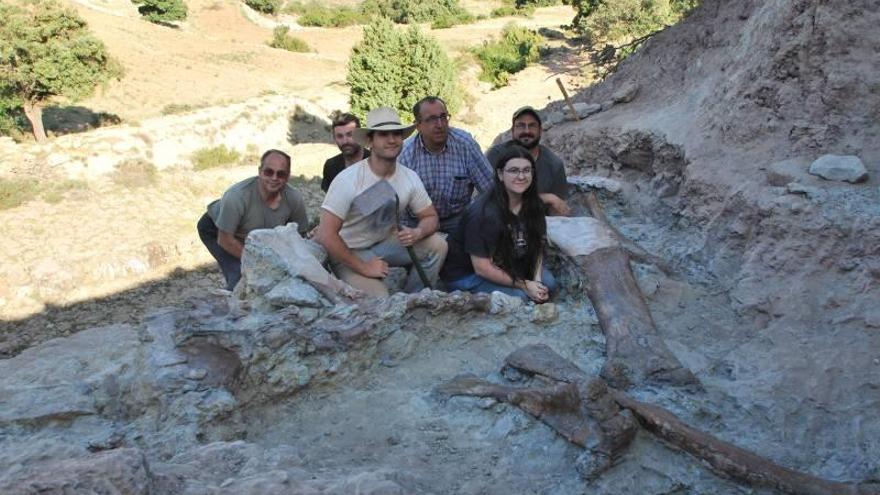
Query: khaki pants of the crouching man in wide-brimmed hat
{"points": [[430, 251]]}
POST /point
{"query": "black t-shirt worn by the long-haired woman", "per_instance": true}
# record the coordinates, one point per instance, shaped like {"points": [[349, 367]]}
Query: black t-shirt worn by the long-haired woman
{"points": [[479, 234]]}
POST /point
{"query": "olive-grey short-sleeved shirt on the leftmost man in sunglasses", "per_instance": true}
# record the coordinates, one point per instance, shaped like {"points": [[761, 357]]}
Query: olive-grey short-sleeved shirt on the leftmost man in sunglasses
{"points": [[241, 210]]}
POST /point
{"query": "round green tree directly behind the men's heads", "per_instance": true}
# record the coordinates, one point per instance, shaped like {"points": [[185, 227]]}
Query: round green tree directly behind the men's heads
{"points": [[397, 68]]}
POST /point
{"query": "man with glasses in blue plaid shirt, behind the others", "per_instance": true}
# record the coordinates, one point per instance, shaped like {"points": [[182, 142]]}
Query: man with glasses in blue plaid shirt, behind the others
{"points": [[448, 160]]}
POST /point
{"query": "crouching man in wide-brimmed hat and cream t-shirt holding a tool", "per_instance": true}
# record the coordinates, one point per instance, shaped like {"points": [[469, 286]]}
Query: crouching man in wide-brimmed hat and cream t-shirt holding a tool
{"points": [[360, 226]]}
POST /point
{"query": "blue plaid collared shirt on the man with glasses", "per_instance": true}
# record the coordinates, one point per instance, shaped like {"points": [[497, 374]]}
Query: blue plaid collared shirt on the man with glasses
{"points": [[451, 175]]}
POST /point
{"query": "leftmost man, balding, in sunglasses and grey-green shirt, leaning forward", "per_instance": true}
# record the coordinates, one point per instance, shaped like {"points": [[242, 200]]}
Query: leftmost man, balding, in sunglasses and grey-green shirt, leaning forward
{"points": [[262, 202]]}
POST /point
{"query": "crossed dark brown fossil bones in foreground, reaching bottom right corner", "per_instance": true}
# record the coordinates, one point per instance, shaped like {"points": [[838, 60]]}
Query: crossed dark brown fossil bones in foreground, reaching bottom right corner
{"points": [[611, 415]]}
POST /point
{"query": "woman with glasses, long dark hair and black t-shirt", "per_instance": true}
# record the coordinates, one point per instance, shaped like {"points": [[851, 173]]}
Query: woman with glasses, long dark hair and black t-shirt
{"points": [[499, 244]]}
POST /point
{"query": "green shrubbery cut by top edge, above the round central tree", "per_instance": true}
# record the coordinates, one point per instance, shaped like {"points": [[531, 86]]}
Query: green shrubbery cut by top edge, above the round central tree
{"points": [[417, 11]]}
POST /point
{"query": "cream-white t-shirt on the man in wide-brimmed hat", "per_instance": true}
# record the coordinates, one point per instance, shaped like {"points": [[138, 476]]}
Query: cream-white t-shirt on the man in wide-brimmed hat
{"points": [[359, 228]]}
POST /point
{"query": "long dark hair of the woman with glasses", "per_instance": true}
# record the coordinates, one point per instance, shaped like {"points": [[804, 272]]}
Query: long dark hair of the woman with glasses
{"points": [[531, 214]]}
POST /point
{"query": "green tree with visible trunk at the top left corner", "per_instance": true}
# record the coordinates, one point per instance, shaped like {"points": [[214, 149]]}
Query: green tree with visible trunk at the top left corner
{"points": [[46, 52]]}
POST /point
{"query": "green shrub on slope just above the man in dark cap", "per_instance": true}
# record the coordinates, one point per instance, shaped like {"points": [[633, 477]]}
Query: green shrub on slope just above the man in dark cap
{"points": [[517, 48]]}
